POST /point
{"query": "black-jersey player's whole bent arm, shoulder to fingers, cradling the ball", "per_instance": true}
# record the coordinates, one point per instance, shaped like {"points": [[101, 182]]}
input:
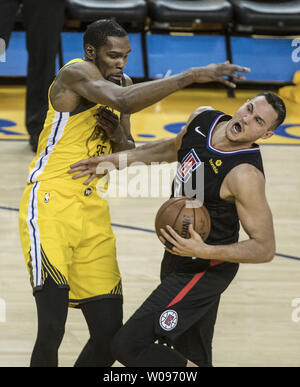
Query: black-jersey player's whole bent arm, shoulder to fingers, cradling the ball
{"points": [[246, 186]]}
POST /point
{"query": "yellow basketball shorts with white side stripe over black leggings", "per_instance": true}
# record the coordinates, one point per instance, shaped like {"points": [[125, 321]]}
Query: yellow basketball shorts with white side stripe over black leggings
{"points": [[66, 234]]}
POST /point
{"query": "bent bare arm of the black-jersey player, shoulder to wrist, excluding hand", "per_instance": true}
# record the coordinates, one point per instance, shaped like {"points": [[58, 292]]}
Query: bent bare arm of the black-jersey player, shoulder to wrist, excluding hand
{"points": [[247, 185]]}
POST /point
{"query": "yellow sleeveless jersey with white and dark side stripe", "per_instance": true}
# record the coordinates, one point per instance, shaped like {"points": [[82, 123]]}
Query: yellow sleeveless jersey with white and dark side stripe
{"points": [[65, 139]]}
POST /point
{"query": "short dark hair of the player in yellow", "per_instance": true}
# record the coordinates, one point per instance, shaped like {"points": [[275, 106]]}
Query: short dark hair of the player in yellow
{"points": [[97, 32]]}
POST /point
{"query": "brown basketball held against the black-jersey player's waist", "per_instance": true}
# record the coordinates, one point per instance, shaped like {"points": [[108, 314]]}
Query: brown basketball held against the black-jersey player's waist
{"points": [[179, 213]]}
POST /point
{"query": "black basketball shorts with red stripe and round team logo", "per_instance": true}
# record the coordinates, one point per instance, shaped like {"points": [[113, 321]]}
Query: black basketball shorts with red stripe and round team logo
{"points": [[183, 299]]}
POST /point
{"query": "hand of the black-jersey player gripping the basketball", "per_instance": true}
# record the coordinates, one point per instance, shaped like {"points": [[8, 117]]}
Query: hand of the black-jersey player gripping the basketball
{"points": [[192, 247]]}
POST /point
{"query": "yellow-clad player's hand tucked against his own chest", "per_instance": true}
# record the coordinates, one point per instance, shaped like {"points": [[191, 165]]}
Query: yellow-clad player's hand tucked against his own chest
{"points": [[109, 123]]}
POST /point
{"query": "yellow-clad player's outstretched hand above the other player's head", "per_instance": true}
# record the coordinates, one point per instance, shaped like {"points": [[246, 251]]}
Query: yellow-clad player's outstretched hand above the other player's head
{"points": [[216, 72]]}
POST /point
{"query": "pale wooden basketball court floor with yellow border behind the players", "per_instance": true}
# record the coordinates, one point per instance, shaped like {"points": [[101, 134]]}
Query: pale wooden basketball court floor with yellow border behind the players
{"points": [[259, 316]]}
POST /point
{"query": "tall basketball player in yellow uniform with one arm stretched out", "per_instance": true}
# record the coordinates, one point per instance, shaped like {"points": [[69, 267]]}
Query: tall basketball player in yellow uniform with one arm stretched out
{"points": [[65, 228]]}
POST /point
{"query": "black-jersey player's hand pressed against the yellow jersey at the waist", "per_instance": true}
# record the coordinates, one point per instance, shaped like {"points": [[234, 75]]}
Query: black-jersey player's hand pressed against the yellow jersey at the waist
{"points": [[94, 167]]}
